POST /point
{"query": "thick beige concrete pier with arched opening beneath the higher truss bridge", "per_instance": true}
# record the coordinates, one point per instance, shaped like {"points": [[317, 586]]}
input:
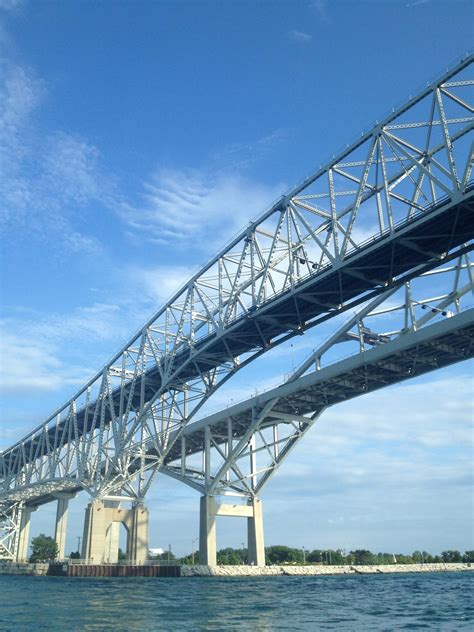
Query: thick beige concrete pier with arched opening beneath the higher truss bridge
{"points": [[101, 531]]}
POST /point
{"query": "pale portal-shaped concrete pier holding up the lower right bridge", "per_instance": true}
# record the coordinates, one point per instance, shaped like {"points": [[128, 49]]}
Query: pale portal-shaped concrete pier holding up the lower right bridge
{"points": [[210, 509]]}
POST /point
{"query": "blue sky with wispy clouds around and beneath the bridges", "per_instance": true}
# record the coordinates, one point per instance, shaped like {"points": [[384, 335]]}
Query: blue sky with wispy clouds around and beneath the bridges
{"points": [[113, 115]]}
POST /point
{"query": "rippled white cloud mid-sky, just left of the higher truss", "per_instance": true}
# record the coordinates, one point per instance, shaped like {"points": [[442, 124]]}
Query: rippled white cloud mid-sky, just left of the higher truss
{"points": [[183, 207]]}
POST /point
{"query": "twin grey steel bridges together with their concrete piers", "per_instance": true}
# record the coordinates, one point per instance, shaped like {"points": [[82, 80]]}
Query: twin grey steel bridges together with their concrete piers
{"points": [[389, 218]]}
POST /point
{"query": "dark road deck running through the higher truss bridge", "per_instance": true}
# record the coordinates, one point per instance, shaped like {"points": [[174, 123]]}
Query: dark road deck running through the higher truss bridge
{"points": [[423, 238]]}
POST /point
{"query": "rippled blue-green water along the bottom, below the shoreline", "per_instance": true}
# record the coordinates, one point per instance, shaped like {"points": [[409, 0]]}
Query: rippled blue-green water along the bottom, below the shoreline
{"points": [[431, 601]]}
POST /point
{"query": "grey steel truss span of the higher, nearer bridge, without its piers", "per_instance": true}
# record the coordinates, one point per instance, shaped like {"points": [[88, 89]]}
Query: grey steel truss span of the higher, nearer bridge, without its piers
{"points": [[390, 207]]}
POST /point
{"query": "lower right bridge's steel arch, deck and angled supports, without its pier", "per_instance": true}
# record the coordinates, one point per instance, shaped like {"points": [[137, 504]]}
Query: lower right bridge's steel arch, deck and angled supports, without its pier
{"points": [[399, 335]]}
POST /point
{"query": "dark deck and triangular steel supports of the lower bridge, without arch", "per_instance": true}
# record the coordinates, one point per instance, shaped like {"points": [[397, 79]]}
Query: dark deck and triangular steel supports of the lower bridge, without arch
{"points": [[290, 410]]}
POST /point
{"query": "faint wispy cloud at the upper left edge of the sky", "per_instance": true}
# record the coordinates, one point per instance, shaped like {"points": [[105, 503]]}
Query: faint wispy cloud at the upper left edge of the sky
{"points": [[46, 178]]}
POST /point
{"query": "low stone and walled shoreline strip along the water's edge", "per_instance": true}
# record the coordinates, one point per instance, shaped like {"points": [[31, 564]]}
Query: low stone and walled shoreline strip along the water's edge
{"points": [[102, 570]]}
